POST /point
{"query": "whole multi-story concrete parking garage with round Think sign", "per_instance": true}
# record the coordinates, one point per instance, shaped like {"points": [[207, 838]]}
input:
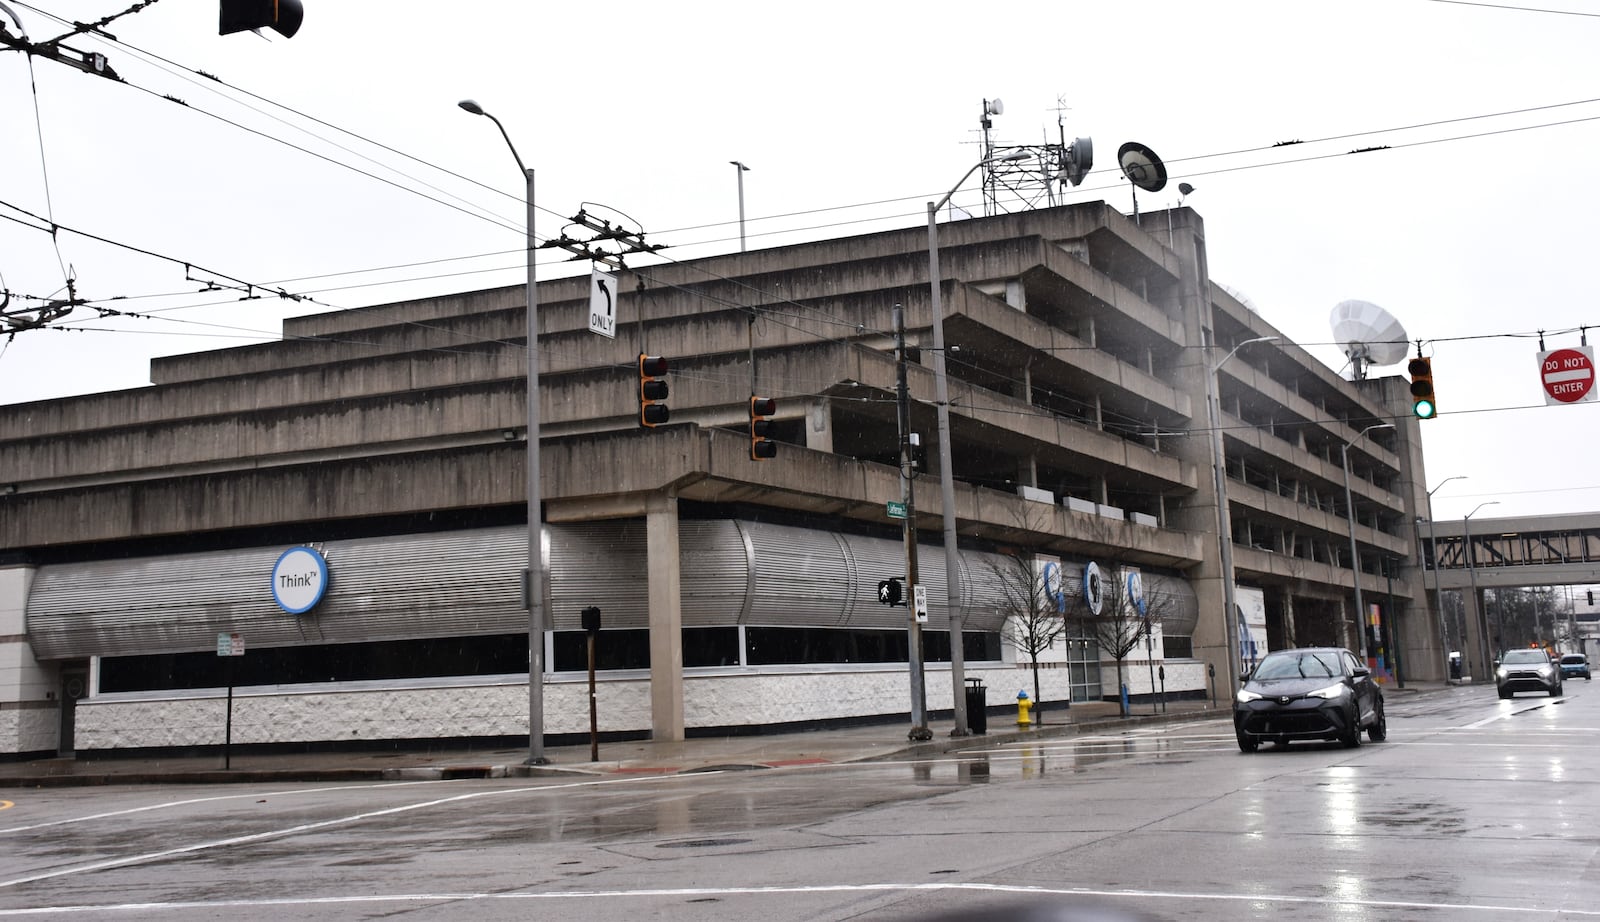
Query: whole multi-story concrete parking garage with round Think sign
{"points": [[138, 527]]}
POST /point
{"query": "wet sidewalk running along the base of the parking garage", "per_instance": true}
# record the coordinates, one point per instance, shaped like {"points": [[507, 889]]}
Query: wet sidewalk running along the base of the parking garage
{"points": [[865, 744]]}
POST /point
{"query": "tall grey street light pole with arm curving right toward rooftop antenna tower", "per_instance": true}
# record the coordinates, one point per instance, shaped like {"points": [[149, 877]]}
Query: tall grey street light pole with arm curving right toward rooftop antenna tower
{"points": [[942, 398]]}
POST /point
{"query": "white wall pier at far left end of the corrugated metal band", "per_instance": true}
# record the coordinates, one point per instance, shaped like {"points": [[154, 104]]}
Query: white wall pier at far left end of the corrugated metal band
{"points": [[30, 708]]}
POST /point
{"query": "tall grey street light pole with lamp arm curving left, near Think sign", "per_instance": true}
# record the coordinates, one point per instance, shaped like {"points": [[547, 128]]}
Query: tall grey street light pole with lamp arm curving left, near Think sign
{"points": [[534, 583]]}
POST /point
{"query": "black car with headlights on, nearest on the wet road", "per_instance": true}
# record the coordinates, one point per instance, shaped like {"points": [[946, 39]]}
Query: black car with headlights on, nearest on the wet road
{"points": [[1310, 694]]}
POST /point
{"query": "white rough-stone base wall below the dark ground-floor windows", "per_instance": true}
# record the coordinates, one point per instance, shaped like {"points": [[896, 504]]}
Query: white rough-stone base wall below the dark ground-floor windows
{"points": [[502, 708]]}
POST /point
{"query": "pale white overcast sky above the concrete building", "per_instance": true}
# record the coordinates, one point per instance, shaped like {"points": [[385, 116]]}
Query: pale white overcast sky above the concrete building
{"points": [[337, 166]]}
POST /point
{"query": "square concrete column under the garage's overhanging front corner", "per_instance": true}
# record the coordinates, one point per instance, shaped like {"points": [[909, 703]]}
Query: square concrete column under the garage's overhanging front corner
{"points": [[666, 619]]}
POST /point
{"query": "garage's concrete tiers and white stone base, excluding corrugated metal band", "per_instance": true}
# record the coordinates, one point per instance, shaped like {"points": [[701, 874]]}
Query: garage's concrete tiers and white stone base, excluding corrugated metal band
{"points": [[1081, 353]]}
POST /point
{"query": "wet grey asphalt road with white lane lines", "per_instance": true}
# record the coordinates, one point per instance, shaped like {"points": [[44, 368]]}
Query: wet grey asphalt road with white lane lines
{"points": [[1474, 809]]}
